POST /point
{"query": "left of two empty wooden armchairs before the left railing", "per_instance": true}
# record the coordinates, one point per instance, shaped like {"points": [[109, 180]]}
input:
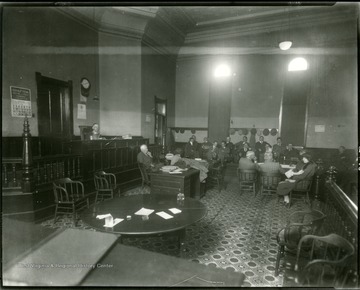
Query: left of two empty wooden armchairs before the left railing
{"points": [[69, 197]]}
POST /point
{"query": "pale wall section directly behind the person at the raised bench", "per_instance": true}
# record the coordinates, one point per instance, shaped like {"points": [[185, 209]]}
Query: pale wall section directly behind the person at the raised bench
{"points": [[120, 85]]}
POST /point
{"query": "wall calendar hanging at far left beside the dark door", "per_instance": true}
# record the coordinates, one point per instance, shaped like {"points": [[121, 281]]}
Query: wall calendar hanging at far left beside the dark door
{"points": [[20, 102]]}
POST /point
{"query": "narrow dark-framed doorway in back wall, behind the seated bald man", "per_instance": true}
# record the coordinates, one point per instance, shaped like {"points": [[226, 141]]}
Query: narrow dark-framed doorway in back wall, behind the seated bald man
{"points": [[160, 121]]}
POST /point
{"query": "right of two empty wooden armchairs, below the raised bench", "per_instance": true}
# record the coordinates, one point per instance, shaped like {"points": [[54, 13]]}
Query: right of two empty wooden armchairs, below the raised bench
{"points": [[105, 185]]}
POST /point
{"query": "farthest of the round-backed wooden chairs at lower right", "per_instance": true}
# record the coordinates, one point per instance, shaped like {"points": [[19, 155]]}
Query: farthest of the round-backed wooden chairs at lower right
{"points": [[299, 224]]}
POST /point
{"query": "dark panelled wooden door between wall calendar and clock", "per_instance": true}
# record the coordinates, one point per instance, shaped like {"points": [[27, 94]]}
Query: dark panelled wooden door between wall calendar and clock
{"points": [[54, 107]]}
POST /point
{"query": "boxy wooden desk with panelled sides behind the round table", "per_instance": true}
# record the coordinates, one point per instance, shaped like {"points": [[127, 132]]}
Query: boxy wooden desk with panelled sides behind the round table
{"points": [[165, 183]]}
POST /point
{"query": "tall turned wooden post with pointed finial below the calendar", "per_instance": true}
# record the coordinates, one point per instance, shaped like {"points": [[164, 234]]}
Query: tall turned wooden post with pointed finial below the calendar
{"points": [[28, 183]]}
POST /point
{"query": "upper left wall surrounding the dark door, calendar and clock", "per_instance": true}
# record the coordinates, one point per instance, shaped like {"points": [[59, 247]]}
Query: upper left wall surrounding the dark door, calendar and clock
{"points": [[43, 40]]}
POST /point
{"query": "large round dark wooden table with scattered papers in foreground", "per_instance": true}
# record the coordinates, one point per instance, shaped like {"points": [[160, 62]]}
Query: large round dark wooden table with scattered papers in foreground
{"points": [[191, 211]]}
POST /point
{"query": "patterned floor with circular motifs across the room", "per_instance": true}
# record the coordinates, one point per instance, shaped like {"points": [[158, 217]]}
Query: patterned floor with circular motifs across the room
{"points": [[238, 234]]}
